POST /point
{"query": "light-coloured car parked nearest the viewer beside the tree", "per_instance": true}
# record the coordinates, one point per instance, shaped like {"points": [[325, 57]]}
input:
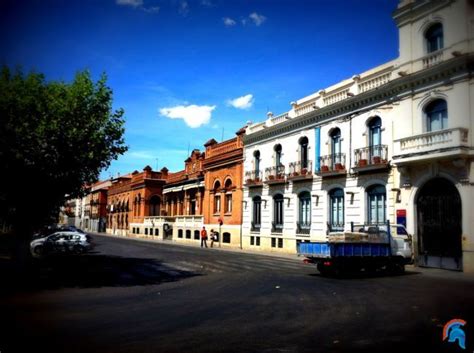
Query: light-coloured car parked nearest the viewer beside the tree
{"points": [[61, 242]]}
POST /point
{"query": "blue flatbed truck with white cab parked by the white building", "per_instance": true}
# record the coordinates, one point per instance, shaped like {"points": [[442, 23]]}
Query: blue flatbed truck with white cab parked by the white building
{"points": [[367, 248]]}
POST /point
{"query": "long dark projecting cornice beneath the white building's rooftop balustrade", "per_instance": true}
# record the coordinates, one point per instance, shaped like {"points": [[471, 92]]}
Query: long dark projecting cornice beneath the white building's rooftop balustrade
{"points": [[450, 70]]}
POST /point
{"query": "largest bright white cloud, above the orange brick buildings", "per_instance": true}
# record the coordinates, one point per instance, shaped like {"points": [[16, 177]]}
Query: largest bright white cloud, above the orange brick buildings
{"points": [[193, 115]]}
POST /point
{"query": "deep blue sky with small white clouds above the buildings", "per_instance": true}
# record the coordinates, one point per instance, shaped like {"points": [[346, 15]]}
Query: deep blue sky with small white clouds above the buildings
{"points": [[186, 71]]}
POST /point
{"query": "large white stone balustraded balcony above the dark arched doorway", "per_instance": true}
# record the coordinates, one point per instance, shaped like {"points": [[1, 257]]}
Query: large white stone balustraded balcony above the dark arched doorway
{"points": [[446, 143]]}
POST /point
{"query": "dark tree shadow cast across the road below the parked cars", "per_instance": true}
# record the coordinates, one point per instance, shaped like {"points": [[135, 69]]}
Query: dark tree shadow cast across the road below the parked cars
{"points": [[87, 271]]}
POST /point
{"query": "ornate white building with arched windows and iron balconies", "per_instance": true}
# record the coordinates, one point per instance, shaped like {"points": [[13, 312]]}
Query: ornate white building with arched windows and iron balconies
{"points": [[391, 144]]}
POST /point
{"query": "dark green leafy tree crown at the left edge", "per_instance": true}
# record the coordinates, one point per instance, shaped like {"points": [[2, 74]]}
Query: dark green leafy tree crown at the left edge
{"points": [[54, 138]]}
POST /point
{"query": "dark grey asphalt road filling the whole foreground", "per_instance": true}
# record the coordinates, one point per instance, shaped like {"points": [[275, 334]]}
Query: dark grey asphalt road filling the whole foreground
{"points": [[136, 296]]}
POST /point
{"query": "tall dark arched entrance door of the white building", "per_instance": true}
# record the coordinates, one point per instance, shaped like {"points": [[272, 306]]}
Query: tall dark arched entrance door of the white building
{"points": [[439, 225]]}
